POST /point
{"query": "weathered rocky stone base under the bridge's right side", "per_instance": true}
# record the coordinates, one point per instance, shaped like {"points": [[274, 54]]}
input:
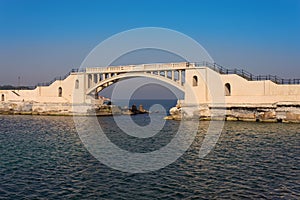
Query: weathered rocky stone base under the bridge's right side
{"points": [[288, 112]]}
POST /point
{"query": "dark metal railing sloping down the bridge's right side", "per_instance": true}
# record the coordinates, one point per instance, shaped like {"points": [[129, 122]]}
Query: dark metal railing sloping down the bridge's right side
{"points": [[247, 75]]}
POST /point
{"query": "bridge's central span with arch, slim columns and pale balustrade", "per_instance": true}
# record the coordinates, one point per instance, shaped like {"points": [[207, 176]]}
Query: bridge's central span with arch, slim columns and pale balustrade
{"points": [[100, 78]]}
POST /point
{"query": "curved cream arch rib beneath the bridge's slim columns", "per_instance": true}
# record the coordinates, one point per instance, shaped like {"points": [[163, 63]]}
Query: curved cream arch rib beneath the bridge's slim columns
{"points": [[109, 81]]}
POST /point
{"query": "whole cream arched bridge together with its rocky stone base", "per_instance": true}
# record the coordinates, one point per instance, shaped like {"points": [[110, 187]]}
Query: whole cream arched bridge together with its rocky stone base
{"points": [[242, 95]]}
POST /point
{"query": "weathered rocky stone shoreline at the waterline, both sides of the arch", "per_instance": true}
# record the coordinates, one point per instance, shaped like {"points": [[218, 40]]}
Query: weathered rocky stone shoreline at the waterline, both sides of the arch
{"points": [[284, 112]]}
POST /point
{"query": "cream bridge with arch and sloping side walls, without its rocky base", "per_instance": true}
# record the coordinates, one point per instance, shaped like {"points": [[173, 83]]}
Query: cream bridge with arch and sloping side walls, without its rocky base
{"points": [[238, 86]]}
